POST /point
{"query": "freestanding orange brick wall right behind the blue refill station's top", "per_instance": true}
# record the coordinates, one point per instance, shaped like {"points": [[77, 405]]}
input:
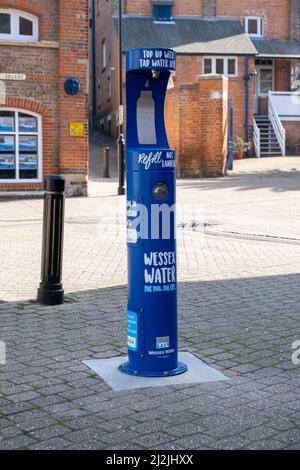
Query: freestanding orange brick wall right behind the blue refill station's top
{"points": [[196, 121]]}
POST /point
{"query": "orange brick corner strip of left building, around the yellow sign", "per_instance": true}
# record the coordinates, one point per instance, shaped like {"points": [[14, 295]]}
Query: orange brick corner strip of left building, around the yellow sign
{"points": [[73, 61]]}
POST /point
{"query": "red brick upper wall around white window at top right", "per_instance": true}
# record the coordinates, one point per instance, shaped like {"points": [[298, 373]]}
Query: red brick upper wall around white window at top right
{"points": [[276, 14]]}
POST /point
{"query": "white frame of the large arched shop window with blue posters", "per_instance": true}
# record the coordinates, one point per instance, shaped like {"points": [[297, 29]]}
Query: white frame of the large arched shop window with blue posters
{"points": [[17, 134]]}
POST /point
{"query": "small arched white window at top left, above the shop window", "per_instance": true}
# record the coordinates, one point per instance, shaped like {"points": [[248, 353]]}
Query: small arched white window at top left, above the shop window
{"points": [[18, 26]]}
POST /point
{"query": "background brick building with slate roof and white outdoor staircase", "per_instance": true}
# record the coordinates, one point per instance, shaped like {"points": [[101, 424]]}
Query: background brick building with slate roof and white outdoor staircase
{"points": [[235, 38]]}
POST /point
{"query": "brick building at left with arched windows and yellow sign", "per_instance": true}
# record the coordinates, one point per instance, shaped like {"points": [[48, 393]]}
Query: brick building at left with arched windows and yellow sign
{"points": [[43, 127]]}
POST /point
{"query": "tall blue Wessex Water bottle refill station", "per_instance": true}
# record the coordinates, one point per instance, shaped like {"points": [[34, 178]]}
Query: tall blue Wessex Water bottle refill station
{"points": [[151, 225]]}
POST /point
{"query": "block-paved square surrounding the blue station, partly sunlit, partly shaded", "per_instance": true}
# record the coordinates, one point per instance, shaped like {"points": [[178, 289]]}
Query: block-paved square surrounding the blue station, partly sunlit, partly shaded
{"points": [[239, 308]]}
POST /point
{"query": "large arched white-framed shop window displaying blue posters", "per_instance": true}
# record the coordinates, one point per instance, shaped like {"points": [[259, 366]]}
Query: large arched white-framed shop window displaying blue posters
{"points": [[20, 146]]}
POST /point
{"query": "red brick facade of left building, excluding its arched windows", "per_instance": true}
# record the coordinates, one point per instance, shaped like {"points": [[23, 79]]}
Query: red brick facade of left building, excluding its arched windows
{"points": [[60, 52]]}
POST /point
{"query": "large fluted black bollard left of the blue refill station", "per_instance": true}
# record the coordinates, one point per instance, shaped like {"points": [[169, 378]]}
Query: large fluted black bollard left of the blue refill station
{"points": [[51, 290]]}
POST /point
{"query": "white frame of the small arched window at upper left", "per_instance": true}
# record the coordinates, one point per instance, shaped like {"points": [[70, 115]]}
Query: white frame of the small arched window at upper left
{"points": [[14, 34]]}
